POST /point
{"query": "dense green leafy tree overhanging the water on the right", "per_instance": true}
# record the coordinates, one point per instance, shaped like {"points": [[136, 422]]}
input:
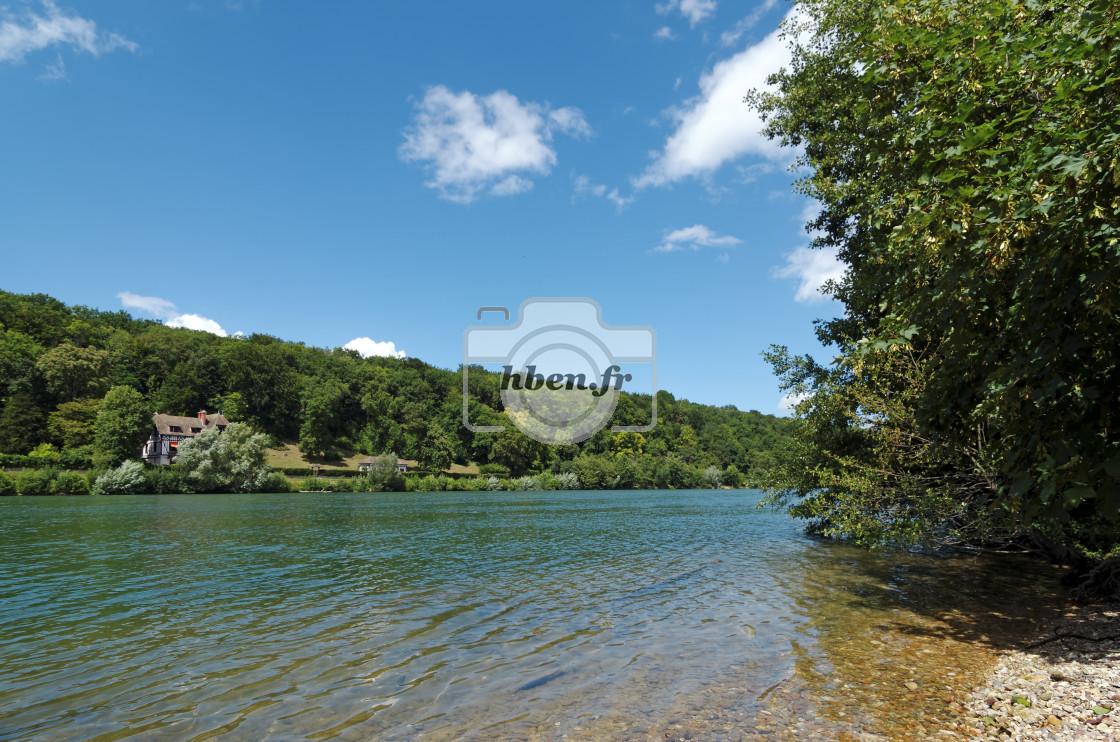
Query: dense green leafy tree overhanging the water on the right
{"points": [[965, 155]]}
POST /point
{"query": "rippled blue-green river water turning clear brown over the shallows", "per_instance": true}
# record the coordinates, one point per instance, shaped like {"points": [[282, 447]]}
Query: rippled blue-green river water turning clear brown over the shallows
{"points": [[497, 616]]}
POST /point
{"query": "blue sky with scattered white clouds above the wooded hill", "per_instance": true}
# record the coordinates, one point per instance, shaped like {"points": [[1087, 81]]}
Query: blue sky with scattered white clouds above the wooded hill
{"points": [[334, 172]]}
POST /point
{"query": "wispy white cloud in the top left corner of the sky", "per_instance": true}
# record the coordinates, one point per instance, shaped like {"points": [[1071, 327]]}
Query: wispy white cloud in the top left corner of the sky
{"points": [[31, 32]]}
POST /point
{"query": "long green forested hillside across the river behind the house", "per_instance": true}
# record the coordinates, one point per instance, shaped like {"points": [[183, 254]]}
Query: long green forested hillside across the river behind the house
{"points": [[60, 364]]}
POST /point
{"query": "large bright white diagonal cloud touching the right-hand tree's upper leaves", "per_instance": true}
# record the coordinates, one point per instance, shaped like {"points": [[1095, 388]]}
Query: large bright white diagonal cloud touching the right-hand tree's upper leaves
{"points": [[716, 126]]}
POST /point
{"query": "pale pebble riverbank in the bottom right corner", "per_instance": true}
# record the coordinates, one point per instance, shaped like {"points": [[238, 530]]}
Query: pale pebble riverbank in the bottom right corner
{"points": [[1062, 687]]}
